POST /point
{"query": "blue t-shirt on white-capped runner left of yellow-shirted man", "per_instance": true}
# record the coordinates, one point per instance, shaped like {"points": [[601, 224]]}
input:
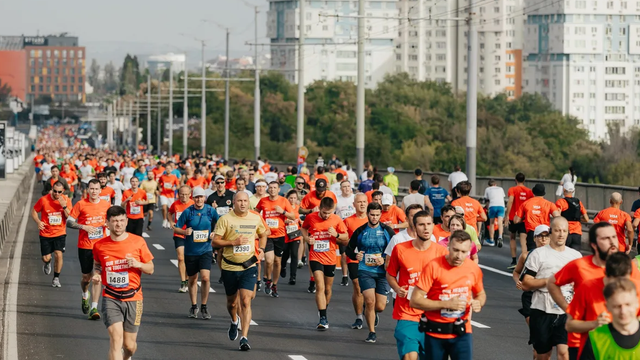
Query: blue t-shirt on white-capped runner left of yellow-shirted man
{"points": [[202, 222]]}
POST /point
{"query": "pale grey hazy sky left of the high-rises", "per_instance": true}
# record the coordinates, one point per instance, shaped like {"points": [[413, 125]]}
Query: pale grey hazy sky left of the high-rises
{"points": [[134, 23]]}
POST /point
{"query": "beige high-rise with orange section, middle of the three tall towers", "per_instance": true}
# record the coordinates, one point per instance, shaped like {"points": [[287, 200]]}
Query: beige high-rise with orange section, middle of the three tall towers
{"points": [[434, 47]]}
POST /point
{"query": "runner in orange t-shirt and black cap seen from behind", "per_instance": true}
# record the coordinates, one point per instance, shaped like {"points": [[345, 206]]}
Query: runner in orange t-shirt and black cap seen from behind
{"points": [[535, 211]]}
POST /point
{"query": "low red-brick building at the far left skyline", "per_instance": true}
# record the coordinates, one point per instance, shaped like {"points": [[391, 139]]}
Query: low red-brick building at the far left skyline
{"points": [[54, 66]]}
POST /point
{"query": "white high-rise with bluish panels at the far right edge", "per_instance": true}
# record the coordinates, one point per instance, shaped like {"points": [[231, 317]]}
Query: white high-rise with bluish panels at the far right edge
{"points": [[584, 57]]}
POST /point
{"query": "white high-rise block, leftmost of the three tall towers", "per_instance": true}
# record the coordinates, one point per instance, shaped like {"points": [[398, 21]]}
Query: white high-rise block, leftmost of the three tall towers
{"points": [[330, 51]]}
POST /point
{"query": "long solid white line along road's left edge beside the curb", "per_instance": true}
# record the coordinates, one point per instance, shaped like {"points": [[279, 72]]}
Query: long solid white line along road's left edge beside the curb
{"points": [[10, 340]]}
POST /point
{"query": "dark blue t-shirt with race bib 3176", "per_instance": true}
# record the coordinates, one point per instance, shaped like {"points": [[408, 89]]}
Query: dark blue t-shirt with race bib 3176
{"points": [[373, 241]]}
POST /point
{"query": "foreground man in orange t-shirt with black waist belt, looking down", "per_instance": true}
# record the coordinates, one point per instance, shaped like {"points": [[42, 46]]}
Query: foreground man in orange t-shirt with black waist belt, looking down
{"points": [[452, 284]]}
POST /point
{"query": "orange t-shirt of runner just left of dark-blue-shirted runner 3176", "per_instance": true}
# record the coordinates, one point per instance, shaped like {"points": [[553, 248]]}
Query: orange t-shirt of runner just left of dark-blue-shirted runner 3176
{"points": [[324, 249]]}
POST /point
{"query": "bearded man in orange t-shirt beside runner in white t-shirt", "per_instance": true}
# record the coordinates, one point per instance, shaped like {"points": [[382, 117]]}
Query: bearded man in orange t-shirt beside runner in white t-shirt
{"points": [[604, 242]]}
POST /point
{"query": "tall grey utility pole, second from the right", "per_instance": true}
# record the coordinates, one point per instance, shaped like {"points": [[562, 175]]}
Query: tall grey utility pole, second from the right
{"points": [[360, 92]]}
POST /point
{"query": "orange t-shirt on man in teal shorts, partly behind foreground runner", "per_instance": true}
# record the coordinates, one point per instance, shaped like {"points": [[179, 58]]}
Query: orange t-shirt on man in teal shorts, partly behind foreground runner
{"points": [[406, 264]]}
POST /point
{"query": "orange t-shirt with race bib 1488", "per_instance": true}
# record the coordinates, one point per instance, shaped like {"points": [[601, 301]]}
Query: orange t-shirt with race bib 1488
{"points": [[116, 273]]}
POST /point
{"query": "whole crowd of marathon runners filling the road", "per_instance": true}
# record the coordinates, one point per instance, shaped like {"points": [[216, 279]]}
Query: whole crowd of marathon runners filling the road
{"points": [[419, 253]]}
